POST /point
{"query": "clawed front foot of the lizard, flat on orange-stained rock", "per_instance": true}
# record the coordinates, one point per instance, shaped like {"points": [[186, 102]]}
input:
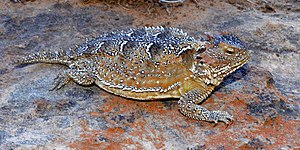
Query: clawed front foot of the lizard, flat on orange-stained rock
{"points": [[216, 116]]}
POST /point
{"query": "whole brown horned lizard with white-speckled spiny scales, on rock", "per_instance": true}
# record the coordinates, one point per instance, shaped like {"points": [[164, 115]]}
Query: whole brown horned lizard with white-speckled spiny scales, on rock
{"points": [[153, 63]]}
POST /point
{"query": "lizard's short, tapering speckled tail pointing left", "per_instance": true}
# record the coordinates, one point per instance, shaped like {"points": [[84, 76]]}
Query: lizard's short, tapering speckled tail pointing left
{"points": [[45, 57]]}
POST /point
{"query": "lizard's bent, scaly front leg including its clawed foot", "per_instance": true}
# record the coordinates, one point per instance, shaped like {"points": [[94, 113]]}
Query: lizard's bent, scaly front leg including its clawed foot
{"points": [[188, 107]]}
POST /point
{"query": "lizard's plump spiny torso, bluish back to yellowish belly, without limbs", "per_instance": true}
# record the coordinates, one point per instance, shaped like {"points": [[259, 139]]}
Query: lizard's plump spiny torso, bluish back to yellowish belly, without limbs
{"points": [[147, 63]]}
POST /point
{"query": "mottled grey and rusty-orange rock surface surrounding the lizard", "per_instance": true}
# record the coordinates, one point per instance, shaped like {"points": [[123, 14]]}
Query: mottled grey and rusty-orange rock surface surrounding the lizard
{"points": [[263, 96]]}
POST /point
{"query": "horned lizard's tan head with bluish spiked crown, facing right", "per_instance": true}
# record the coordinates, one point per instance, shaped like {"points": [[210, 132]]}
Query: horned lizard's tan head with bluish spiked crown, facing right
{"points": [[223, 55]]}
